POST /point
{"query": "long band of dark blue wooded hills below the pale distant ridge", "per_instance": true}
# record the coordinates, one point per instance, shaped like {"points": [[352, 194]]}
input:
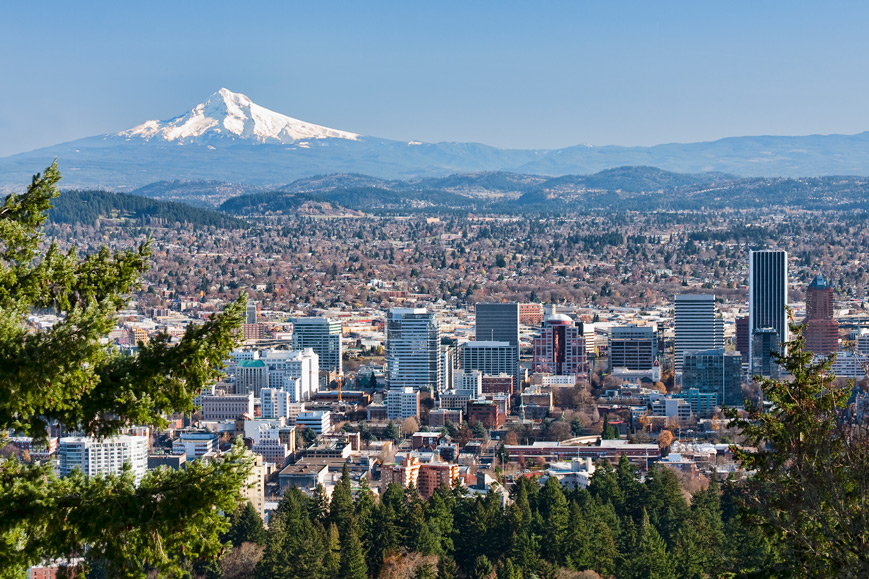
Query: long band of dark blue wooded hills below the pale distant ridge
{"points": [[619, 189]]}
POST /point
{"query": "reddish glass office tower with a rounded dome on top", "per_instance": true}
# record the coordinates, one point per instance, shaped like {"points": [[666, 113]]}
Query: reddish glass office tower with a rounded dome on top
{"points": [[560, 348]]}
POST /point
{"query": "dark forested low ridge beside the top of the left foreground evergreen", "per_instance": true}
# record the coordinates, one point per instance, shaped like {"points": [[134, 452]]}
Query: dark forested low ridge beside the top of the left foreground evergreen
{"points": [[87, 207]]}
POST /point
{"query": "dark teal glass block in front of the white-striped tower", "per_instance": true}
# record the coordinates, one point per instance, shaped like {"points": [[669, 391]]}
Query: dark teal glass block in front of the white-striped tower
{"points": [[715, 371]]}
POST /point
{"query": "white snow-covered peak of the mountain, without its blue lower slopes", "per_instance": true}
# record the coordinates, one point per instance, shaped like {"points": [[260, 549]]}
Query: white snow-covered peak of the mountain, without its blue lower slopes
{"points": [[231, 115]]}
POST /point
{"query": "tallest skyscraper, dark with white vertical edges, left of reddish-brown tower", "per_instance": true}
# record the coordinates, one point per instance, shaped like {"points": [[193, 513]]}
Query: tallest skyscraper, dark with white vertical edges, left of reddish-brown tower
{"points": [[767, 294]]}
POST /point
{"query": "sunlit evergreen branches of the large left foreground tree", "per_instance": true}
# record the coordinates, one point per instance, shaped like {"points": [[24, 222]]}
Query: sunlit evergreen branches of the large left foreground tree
{"points": [[66, 375]]}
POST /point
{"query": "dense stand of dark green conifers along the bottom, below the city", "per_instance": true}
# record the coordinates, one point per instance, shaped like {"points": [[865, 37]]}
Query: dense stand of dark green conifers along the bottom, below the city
{"points": [[620, 526]]}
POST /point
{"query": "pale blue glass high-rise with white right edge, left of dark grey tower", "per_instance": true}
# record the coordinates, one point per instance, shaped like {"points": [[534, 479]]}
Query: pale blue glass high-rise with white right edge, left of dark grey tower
{"points": [[413, 354]]}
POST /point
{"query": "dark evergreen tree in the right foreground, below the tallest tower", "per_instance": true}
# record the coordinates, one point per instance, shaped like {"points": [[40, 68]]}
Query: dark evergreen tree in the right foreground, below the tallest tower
{"points": [[810, 488]]}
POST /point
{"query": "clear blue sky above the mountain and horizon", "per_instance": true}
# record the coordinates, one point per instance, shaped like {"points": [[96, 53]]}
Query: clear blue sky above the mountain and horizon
{"points": [[530, 74]]}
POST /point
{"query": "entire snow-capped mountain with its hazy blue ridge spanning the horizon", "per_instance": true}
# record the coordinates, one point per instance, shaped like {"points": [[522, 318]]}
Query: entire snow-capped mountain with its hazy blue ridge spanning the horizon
{"points": [[231, 139]]}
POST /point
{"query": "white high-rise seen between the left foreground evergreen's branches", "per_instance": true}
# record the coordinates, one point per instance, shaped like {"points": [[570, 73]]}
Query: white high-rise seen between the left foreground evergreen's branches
{"points": [[108, 456]]}
